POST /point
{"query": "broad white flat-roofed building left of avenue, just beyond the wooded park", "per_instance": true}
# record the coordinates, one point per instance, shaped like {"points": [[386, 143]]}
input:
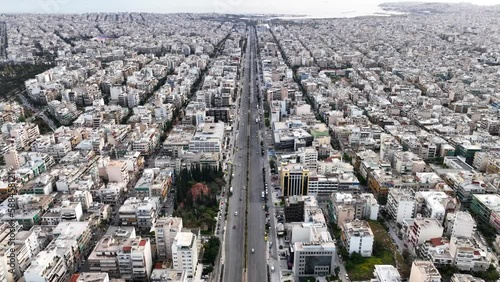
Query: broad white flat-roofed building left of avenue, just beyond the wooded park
{"points": [[208, 138]]}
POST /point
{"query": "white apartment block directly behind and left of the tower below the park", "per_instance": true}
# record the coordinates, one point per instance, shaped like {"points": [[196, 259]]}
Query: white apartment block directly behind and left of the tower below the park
{"points": [[166, 229]]}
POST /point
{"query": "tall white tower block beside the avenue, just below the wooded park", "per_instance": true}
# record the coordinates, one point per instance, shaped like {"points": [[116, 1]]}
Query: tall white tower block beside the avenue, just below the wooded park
{"points": [[185, 253]]}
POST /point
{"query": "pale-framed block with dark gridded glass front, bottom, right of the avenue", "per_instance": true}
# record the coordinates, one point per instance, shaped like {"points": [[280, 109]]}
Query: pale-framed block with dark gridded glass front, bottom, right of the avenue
{"points": [[314, 258]]}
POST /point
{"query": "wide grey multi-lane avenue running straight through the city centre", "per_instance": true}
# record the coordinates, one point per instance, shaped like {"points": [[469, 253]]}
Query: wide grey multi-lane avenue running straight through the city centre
{"points": [[246, 218]]}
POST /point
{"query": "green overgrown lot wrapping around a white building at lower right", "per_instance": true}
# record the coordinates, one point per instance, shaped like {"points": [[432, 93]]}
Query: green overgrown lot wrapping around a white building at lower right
{"points": [[361, 268]]}
